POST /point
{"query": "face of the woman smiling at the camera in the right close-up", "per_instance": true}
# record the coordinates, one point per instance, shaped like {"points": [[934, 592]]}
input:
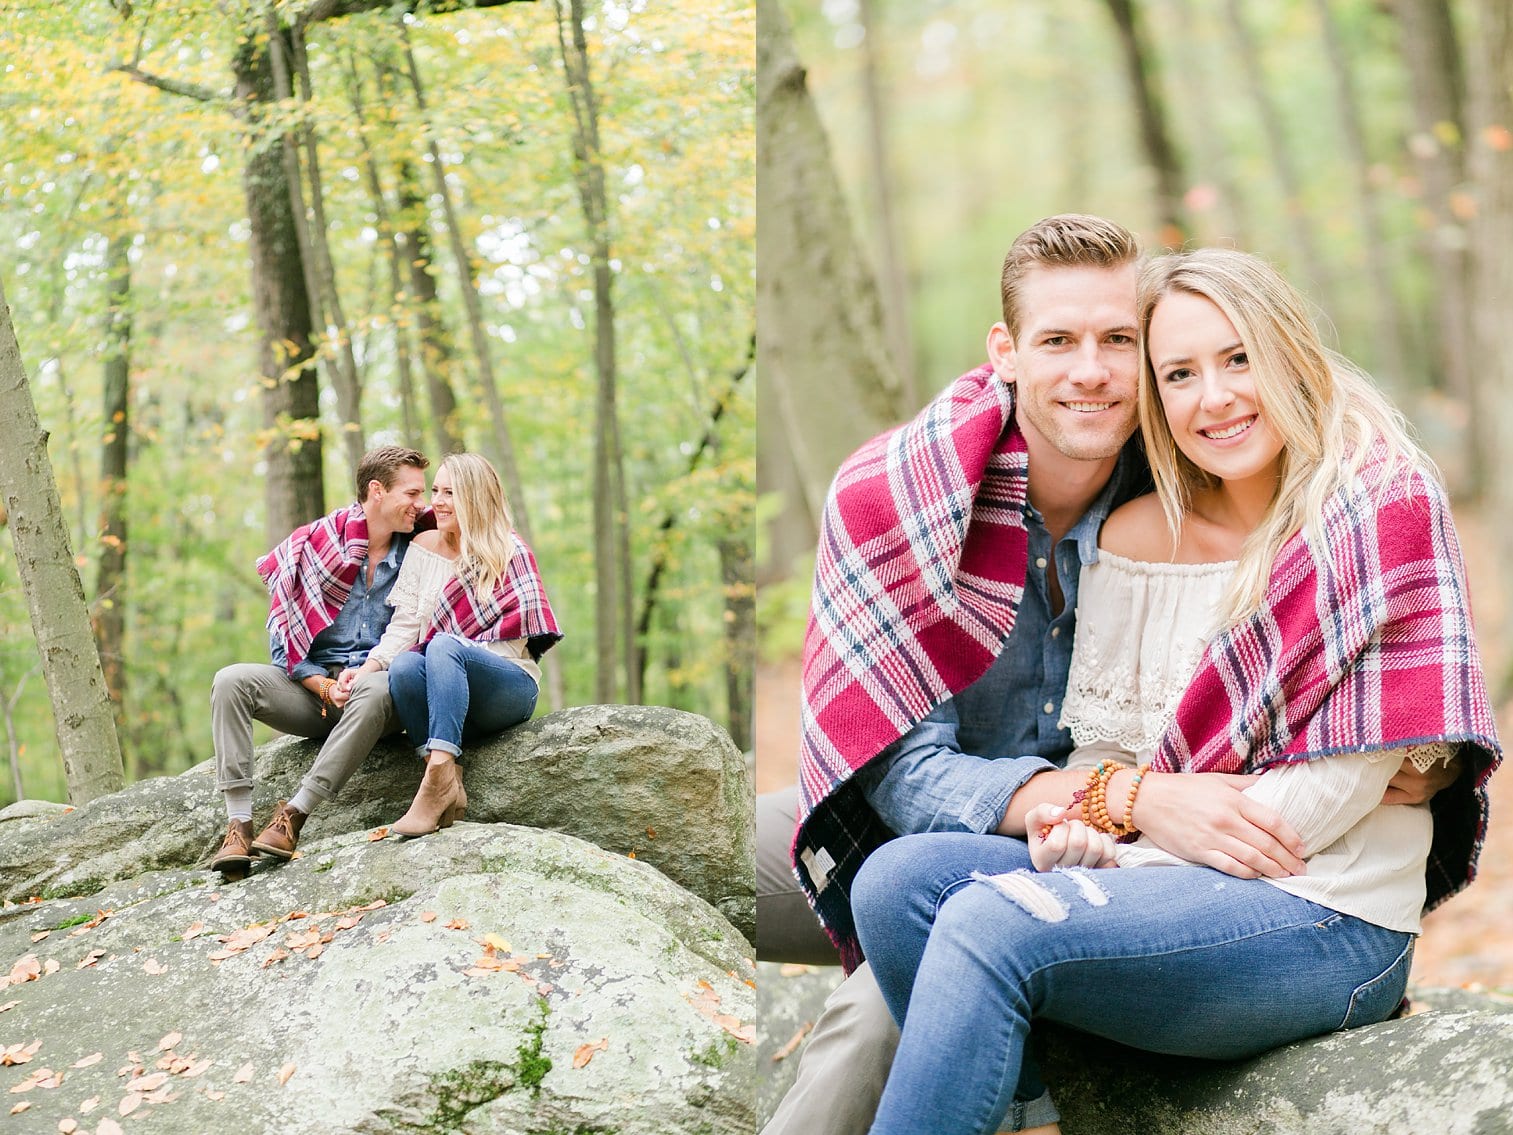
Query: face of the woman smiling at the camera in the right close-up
{"points": [[1208, 393]]}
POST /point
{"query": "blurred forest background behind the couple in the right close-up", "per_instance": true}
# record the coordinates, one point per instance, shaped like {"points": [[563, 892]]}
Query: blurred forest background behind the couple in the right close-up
{"points": [[1362, 146]]}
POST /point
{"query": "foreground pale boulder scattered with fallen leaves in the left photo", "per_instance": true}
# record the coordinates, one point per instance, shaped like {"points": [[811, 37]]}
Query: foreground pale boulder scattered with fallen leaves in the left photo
{"points": [[462, 983]]}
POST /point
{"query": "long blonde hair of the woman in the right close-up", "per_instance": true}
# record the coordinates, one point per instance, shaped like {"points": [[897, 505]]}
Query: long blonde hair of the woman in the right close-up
{"points": [[1328, 412]]}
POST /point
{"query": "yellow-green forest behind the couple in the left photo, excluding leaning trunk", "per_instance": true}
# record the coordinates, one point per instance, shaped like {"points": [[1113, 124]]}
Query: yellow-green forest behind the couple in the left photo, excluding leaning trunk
{"points": [[247, 240]]}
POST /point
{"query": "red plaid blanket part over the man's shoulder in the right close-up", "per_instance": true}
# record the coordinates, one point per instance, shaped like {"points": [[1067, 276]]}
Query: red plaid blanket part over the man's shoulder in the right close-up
{"points": [[918, 582]]}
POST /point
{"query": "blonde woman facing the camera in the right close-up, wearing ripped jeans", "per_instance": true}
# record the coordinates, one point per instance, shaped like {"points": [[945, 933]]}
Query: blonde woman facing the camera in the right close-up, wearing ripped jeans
{"points": [[1300, 535]]}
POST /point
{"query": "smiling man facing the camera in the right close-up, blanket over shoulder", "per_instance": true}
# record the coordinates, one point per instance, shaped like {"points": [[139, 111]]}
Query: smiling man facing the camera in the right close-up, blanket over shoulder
{"points": [[940, 639]]}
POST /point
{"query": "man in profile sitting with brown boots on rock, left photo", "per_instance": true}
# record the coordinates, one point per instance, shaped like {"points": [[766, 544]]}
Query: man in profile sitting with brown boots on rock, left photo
{"points": [[329, 586]]}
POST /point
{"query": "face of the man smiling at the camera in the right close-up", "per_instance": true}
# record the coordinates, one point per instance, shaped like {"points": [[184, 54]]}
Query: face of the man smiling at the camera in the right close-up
{"points": [[1076, 364]]}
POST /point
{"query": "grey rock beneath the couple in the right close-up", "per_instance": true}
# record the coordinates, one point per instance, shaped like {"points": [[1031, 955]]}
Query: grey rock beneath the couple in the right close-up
{"points": [[1446, 1069]]}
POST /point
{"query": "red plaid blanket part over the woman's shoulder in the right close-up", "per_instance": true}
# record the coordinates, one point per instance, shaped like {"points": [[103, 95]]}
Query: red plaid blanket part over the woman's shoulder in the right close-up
{"points": [[1365, 648]]}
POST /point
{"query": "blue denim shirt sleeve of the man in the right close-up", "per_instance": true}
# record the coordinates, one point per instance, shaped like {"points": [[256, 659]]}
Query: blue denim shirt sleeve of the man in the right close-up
{"points": [[927, 783]]}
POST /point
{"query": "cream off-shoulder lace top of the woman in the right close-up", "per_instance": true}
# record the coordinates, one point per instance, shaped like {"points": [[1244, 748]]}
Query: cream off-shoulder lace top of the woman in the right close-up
{"points": [[1142, 632]]}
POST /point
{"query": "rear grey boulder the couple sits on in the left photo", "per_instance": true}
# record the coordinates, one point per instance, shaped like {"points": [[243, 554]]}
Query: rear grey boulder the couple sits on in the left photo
{"points": [[663, 786]]}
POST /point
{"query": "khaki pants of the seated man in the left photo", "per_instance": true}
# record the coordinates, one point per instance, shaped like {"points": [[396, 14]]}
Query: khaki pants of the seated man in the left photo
{"points": [[250, 692]]}
